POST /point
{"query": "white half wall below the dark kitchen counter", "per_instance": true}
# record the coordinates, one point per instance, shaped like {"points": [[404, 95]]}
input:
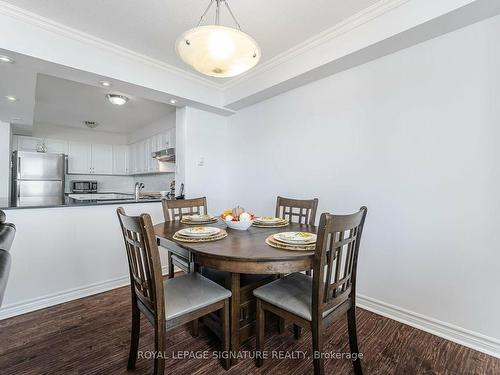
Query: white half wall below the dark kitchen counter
{"points": [[88, 256]]}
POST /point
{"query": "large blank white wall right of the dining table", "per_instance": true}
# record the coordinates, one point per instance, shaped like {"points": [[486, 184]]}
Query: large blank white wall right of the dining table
{"points": [[414, 136]]}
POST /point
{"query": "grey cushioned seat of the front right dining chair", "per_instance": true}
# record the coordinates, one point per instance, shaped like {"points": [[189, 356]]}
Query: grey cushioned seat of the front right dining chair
{"points": [[292, 293]]}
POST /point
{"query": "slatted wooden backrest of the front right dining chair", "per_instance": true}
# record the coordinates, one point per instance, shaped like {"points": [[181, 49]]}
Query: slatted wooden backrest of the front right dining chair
{"points": [[335, 260]]}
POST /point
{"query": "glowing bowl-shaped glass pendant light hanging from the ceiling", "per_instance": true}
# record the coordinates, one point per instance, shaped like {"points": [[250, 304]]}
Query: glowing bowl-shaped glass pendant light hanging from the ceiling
{"points": [[218, 51]]}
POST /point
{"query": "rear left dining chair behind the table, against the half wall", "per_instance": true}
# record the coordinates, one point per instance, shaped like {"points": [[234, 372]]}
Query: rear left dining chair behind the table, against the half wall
{"points": [[175, 210]]}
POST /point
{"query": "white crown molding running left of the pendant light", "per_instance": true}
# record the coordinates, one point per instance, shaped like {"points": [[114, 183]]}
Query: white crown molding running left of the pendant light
{"points": [[68, 32]]}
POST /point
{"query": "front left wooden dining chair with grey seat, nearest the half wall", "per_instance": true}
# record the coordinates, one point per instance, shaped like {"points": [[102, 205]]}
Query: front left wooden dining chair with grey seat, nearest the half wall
{"points": [[169, 303]]}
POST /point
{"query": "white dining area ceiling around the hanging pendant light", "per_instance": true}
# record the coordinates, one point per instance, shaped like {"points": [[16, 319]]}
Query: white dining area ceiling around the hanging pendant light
{"points": [[151, 27]]}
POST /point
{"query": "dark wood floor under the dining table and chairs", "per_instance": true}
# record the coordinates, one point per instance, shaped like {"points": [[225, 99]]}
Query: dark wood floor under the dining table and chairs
{"points": [[91, 336]]}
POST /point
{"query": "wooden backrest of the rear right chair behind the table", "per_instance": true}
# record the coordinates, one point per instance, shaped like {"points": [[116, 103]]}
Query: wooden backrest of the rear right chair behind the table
{"points": [[303, 210]]}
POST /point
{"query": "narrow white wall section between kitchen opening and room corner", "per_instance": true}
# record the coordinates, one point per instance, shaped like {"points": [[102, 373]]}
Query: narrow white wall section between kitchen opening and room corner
{"points": [[202, 136]]}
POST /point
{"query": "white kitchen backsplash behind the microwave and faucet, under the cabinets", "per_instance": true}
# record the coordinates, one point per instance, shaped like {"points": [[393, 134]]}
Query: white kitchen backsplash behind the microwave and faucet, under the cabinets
{"points": [[124, 184]]}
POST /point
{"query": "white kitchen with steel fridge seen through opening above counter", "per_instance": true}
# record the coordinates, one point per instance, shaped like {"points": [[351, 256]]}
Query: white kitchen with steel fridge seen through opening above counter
{"points": [[121, 154]]}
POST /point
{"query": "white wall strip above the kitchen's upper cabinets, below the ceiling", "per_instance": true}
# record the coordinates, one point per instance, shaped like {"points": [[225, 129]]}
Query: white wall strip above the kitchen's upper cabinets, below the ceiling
{"points": [[67, 133]]}
